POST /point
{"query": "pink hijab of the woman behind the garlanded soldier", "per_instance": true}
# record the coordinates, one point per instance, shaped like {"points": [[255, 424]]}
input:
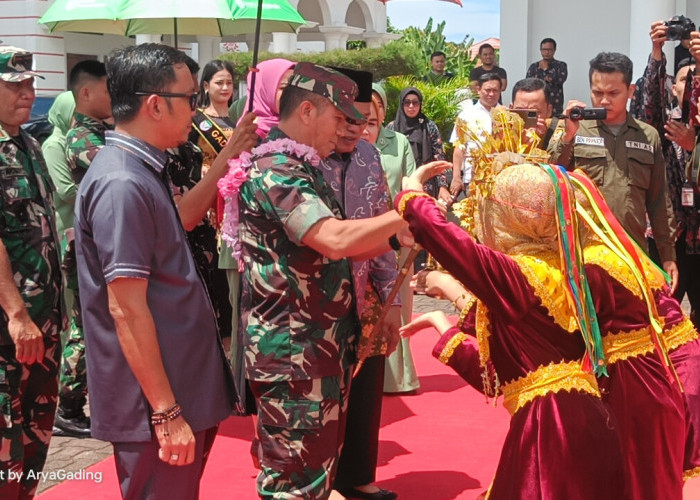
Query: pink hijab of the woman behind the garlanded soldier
{"points": [[266, 83]]}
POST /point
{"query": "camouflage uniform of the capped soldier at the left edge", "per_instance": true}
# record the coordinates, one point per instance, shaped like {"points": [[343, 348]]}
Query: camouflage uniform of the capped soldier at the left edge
{"points": [[27, 228]]}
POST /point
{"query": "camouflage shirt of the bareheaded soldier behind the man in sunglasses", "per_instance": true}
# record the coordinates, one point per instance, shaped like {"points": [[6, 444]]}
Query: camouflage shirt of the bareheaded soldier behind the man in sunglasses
{"points": [[83, 141]]}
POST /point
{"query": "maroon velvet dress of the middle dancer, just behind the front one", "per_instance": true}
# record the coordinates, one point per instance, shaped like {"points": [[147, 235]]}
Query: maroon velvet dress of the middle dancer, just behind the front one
{"points": [[647, 403]]}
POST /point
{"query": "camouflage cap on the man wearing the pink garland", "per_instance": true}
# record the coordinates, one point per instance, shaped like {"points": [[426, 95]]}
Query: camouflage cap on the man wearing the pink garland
{"points": [[338, 88]]}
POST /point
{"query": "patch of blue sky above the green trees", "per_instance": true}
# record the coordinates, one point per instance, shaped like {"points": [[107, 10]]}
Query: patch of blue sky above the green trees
{"points": [[478, 18]]}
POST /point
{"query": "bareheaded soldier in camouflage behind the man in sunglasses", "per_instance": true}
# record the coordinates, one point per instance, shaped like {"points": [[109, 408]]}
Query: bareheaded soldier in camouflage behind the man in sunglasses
{"points": [[88, 82]]}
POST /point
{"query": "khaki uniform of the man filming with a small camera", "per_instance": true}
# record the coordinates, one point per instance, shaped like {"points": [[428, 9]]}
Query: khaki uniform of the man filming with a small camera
{"points": [[630, 171]]}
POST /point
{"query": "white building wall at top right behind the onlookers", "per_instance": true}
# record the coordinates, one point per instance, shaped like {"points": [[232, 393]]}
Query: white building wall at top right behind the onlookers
{"points": [[582, 29]]}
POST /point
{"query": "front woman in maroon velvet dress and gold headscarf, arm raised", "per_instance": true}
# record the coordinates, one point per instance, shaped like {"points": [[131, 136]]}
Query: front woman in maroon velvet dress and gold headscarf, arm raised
{"points": [[562, 441]]}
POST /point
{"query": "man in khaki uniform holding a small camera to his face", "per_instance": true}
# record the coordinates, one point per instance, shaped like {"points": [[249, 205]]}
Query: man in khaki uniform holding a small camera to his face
{"points": [[622, 155]]}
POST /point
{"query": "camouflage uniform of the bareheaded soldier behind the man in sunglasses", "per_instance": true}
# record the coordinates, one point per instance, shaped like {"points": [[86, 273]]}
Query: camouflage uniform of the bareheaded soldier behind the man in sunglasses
{"points": [[83, 141]]}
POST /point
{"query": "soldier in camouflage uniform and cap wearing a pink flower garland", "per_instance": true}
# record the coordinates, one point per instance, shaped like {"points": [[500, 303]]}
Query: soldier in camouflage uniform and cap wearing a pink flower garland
{"points": [[301, 320]]}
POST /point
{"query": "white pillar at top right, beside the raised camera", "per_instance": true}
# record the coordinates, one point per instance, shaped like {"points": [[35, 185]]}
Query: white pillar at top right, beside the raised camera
{"points": [[642, 14]]}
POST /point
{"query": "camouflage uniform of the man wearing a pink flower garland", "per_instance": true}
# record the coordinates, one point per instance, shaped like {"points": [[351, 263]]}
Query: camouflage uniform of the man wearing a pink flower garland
{"points": [[301, 322]]}
